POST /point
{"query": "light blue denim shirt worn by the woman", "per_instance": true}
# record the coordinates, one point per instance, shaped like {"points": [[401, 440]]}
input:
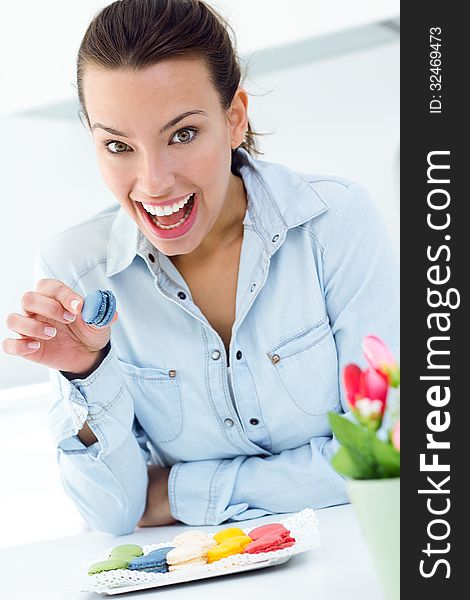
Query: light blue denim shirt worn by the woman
{"points": [[317, 274]]}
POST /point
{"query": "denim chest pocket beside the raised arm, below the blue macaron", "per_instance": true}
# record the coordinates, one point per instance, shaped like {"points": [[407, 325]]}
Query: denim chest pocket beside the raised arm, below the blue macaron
{"points": [[157, 400]]}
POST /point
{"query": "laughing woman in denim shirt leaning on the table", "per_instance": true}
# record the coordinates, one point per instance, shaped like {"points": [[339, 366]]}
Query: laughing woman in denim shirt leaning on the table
{"points": [[243, 288]]}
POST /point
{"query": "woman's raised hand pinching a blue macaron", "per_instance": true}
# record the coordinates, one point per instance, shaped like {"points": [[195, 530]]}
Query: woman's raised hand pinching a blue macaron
{"points": [[53, 333]]}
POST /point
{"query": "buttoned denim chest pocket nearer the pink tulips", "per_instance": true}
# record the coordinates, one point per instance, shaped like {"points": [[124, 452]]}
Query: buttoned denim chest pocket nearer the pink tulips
{"points": [[307, 368]]}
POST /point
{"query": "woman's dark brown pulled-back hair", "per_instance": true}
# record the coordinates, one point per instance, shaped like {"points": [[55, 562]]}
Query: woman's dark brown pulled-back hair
{"points": [[135, 34]]}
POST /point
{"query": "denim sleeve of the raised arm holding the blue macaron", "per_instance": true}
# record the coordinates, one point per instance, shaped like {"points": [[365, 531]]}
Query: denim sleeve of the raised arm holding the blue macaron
{"points": [[107, 480]]}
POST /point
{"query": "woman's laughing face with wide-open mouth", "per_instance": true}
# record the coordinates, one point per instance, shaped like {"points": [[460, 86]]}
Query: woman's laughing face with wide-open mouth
{"points": [[164, 146]]}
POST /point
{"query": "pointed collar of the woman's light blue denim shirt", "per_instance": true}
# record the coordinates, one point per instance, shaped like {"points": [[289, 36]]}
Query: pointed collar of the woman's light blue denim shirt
{"points": [[278, 200]]}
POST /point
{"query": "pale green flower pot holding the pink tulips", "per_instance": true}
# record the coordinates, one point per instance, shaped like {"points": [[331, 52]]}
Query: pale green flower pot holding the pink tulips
{"points": [[377, 506]]}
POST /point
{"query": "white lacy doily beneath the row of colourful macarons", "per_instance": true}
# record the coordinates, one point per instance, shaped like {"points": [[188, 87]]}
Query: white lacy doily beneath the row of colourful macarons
{"points": [[302, 525]]}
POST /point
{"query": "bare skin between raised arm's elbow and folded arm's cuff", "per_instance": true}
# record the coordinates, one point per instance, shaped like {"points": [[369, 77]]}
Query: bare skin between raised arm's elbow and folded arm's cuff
{"points": [[157, 510]]}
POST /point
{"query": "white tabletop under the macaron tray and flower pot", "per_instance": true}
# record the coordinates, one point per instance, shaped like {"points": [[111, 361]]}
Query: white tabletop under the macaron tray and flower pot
{"points": [[340, 569]]}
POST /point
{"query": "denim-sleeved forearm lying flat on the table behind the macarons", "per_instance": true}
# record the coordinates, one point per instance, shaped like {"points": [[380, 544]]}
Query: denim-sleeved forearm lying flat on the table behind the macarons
{"points": [[247, 487]]}
